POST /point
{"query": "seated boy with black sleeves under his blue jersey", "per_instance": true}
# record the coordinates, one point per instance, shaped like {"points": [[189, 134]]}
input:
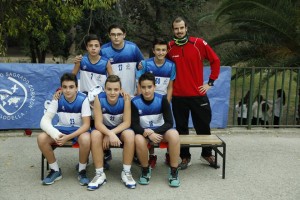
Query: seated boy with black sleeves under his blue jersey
{"points": [[152, 122]]}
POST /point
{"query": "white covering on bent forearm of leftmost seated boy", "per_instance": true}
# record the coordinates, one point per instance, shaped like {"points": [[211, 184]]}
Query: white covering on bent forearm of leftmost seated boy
{"points": [[46, 125]]}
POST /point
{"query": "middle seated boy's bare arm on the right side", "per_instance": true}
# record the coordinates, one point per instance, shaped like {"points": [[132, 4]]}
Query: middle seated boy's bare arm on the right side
{"points": [[126, 116]]}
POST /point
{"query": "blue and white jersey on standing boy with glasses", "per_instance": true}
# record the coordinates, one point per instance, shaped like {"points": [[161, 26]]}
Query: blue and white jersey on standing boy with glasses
{"points": [[124, 62]]}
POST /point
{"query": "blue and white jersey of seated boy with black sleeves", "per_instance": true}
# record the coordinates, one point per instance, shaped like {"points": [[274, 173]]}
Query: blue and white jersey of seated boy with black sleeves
{"points": [[151, 115]]}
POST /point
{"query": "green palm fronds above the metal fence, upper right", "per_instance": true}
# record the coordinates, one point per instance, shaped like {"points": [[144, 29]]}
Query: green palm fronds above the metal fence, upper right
{"points": [[264, 33]]}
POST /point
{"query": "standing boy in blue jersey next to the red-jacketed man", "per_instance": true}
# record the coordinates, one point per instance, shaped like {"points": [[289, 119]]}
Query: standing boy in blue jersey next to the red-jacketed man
{"points": [[165, 72]]}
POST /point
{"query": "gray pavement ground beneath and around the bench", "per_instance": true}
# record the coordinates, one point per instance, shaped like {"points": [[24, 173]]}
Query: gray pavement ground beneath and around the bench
{"points": [[261, 164]]}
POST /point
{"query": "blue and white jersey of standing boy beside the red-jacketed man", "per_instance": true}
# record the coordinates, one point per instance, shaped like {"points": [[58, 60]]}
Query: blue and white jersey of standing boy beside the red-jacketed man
{"points": [[163, 74]]}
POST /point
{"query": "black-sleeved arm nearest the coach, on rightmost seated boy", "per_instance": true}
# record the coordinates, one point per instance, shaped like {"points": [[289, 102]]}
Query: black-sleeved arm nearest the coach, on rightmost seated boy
{"points": [[167, 115]]}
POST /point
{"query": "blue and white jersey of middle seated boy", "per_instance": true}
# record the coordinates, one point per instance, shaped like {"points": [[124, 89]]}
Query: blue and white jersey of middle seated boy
{"points": [[112, 114]]}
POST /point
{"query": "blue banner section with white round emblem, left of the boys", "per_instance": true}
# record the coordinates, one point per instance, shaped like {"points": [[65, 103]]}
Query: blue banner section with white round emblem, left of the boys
{"points": [[25, 91]]}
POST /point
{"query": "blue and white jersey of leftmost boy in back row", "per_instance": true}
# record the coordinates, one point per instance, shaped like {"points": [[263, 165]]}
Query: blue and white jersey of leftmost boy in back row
{"points": [[92, 75]]}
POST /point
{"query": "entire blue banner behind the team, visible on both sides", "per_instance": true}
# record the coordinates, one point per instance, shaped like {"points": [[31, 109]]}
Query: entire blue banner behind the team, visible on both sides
{"points": [[27, 89]]}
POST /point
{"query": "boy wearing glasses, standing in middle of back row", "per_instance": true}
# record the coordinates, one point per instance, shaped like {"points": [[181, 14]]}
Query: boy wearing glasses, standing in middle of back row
{"points": [[124, 57]]}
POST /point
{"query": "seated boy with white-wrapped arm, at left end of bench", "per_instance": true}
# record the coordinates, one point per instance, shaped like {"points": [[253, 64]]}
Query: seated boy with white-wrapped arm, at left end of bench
{"points": [[74, 113]]}
